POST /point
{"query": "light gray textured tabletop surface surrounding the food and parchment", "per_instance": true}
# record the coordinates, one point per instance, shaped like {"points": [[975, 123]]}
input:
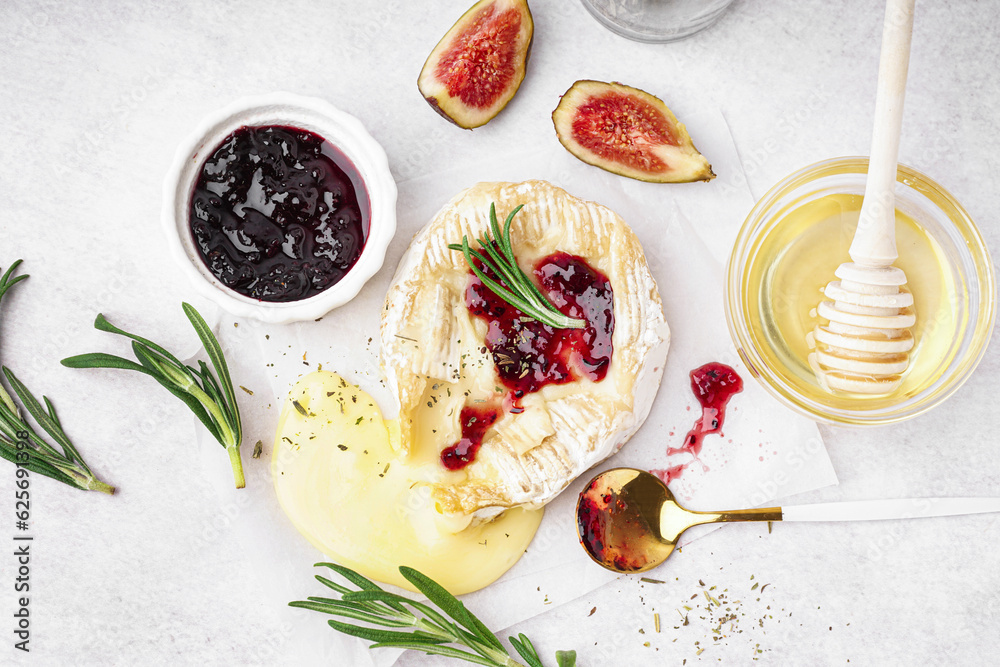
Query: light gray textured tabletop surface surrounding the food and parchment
{"points": [[96, 95]]}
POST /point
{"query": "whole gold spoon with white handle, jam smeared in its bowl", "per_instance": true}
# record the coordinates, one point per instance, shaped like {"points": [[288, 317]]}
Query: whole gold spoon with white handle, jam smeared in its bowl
{"points": [[628, 520]]}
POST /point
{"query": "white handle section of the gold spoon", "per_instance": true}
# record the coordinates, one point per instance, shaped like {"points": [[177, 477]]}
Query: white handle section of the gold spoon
{"points": [[877, 510]]}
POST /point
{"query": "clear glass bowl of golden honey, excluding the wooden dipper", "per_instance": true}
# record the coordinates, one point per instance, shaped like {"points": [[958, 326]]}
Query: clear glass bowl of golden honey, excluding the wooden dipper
{"points": [[788, 250]]}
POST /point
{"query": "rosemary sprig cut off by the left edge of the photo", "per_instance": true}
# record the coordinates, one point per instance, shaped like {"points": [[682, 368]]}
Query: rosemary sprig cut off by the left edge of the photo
{"points": [[21, 444]]}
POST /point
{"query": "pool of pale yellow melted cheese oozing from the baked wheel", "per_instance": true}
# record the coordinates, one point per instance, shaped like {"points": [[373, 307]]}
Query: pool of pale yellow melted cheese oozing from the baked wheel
{"points": [[350, 489]]}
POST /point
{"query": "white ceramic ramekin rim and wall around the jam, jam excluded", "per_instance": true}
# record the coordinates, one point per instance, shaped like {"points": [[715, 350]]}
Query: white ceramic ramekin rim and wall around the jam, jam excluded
{"points": [[317, 116]]}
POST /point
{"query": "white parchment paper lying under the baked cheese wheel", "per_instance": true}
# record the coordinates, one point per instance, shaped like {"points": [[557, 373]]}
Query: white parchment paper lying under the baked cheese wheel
{"points": [[765, 452]]}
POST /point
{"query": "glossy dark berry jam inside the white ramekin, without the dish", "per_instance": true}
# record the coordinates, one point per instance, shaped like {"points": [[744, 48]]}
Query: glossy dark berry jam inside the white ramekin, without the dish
{"points": [[278, 213]]}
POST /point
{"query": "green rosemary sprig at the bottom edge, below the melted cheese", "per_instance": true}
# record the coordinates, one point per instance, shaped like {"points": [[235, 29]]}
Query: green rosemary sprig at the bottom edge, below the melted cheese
{"points": [[419, 626]]}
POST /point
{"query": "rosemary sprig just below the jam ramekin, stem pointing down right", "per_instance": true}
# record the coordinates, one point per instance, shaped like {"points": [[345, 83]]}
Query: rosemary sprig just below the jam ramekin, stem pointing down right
{"points": [[210, 397]]}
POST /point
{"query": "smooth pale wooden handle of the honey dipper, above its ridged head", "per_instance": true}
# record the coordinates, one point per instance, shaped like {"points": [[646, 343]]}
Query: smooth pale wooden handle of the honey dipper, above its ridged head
{"points": [[875, 240]]}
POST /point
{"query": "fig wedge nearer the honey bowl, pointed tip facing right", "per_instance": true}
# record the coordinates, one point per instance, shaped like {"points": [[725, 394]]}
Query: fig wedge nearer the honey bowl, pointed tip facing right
{"points": [[628, 132]]}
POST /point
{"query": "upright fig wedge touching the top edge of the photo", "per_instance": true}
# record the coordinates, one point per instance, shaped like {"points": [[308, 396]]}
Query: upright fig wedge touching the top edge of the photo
{"points": [[479, 64]]}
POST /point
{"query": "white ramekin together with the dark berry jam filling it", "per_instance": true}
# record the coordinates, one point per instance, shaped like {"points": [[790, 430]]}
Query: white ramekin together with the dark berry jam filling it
{"points": [[280, 207]]}
